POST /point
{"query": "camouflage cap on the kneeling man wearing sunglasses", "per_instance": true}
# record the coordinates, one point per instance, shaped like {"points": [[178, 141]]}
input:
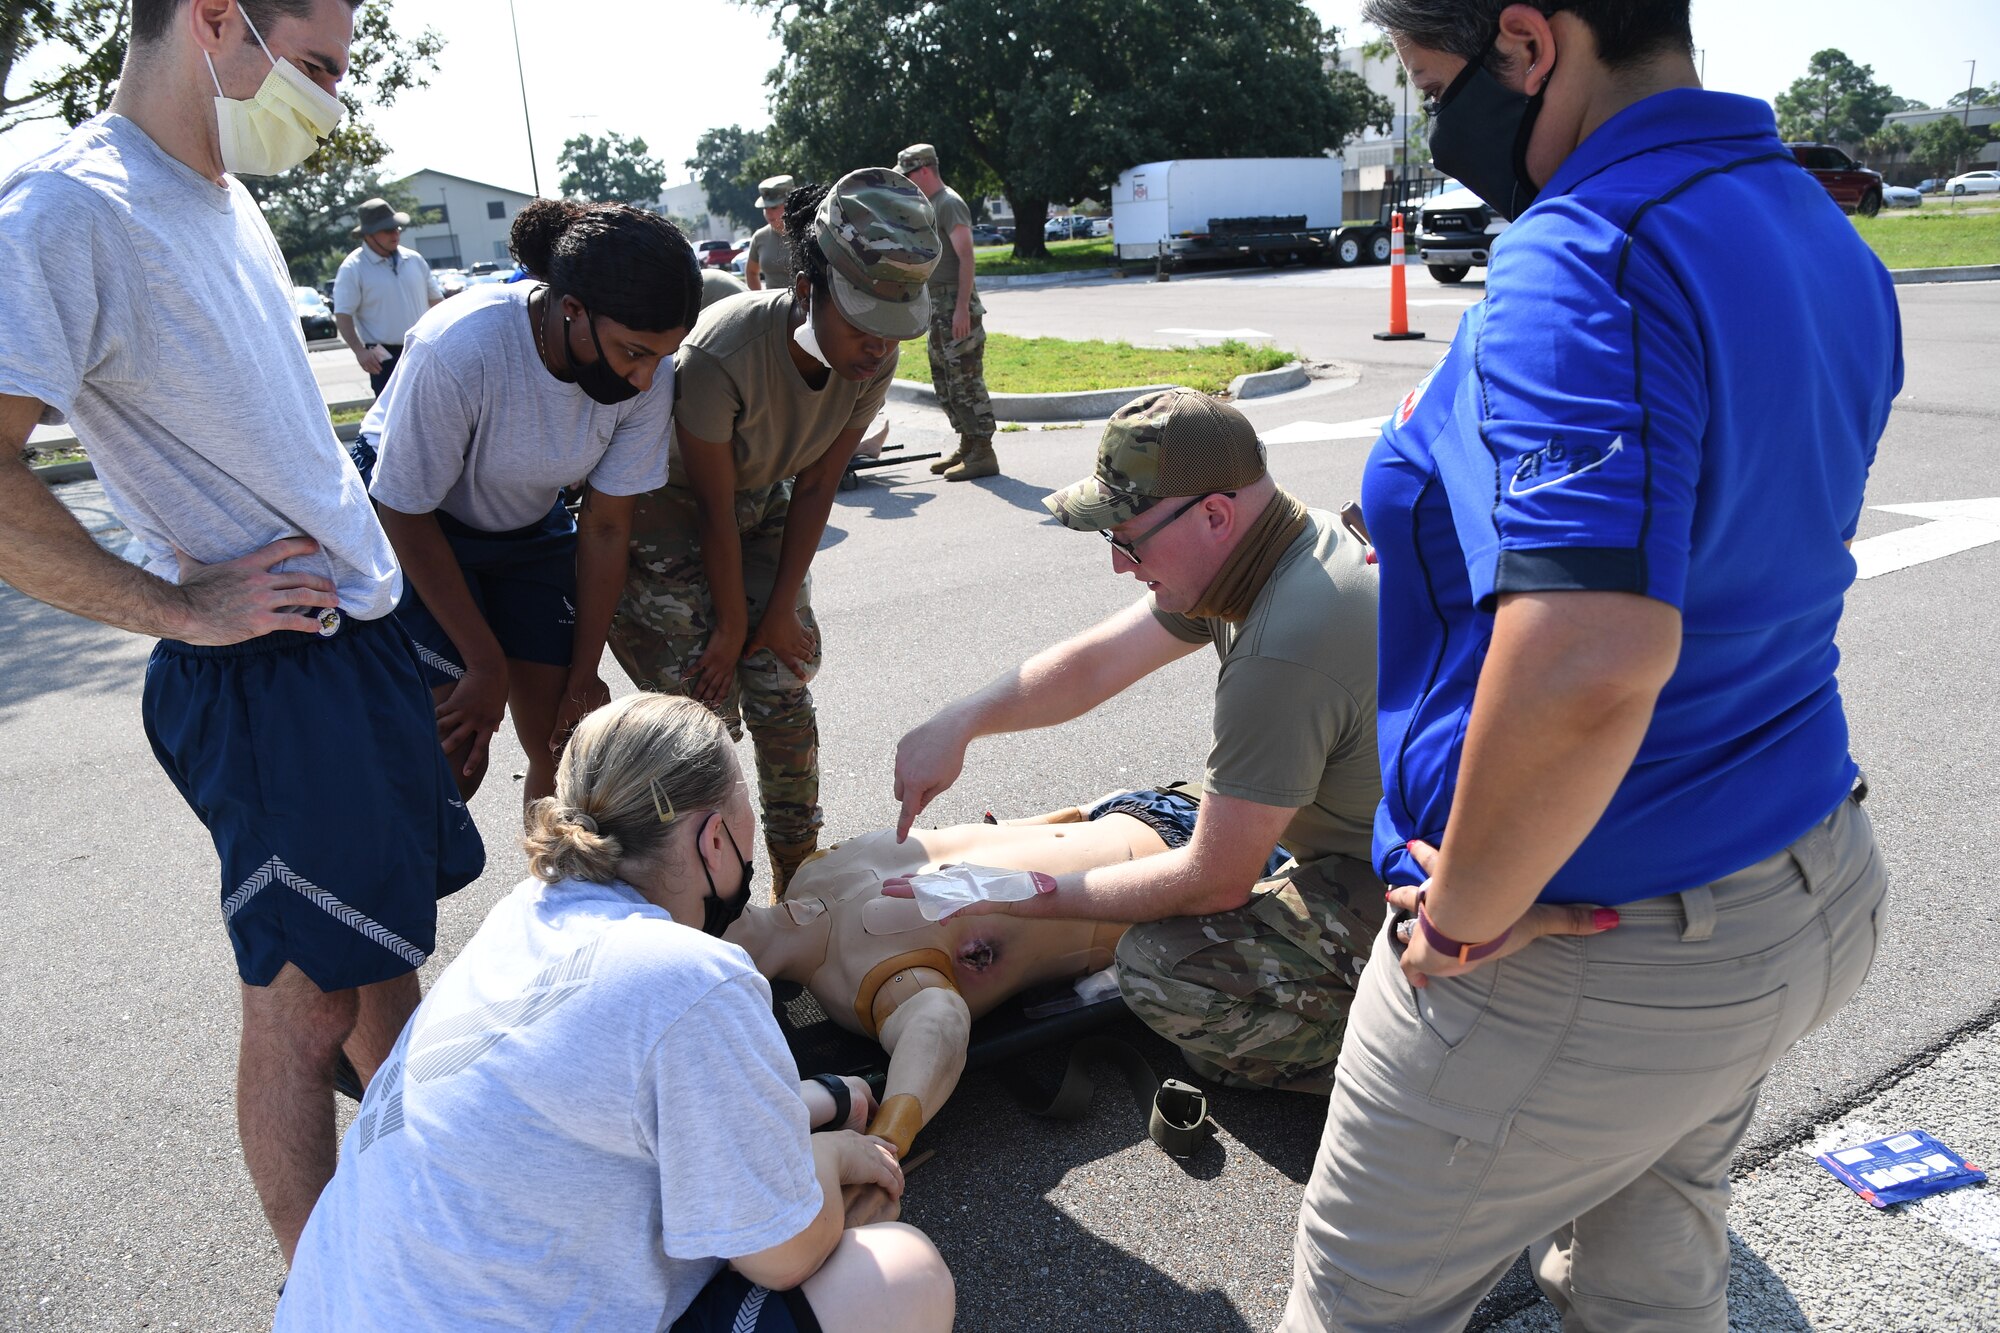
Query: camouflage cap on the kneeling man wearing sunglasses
{"points": [[1171, 443]]}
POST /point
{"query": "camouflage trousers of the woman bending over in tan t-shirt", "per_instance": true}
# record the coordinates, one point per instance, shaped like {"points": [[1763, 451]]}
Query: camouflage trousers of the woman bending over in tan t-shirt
{"points": [[663, 627]]}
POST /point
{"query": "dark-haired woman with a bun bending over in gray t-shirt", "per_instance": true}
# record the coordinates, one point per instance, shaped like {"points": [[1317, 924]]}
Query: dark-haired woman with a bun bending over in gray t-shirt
{"points": [[513, 393]]}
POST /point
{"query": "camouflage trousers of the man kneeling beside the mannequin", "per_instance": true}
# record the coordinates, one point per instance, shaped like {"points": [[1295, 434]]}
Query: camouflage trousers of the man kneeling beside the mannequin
{"points": [[1263, 992]]}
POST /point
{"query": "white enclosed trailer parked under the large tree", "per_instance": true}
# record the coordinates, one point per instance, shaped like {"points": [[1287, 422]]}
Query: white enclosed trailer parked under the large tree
{"points": [[1185, 199]]}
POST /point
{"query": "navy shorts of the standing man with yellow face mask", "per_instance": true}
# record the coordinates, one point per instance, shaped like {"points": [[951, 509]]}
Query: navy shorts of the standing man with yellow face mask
{"points": [[315, 766]]}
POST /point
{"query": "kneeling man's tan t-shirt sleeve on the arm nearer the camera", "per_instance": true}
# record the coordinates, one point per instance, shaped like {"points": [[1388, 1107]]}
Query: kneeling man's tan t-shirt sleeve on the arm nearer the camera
{"points": [[1277, 724]]}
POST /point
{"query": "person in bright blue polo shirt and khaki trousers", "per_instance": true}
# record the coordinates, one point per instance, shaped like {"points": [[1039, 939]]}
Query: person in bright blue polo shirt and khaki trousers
{"points": [[1613, 539]]}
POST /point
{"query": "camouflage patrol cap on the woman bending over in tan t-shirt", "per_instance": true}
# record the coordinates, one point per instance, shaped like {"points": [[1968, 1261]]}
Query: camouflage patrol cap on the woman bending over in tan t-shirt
{"points": [[881, 239]]}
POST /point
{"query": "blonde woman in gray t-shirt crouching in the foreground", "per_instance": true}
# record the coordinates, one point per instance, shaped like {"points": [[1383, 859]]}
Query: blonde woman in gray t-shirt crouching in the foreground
{"points": [[593, 1120]]}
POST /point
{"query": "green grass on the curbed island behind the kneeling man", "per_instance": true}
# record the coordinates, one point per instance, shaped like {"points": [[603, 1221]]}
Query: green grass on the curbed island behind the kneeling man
{"points": [[1057, 365]]}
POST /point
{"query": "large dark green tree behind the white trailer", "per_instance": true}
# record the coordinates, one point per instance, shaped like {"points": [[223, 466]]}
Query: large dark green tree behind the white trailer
{"points": [[1053, 99]]}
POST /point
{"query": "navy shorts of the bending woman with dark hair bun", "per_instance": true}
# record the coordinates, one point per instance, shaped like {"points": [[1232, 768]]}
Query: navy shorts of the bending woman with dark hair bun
{"points": [[523, 583]]}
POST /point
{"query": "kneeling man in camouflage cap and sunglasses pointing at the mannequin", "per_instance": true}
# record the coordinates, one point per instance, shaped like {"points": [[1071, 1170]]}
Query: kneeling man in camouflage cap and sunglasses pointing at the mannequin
{"points": [[1253, 978]]}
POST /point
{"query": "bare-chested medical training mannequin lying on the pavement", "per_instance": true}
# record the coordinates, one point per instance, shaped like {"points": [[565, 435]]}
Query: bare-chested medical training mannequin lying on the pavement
{"points": [[879, 970]]}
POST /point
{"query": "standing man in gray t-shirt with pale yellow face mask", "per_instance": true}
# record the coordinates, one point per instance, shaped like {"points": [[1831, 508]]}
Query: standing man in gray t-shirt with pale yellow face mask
{"points": [[149, 305]]}
